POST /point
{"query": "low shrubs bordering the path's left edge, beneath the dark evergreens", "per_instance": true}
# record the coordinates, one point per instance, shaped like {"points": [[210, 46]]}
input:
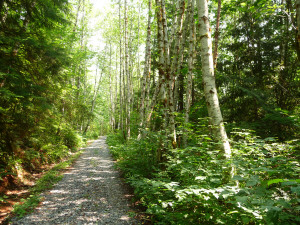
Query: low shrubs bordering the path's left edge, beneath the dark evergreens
{"points": [[44, 146]]}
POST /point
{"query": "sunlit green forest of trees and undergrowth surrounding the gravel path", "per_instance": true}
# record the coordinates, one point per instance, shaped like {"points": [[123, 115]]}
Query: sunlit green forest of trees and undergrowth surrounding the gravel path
{"points": [[199, 100]]}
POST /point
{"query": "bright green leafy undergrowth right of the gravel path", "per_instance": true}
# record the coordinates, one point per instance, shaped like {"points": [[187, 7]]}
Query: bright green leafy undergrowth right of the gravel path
{"points": [[189, 188]]}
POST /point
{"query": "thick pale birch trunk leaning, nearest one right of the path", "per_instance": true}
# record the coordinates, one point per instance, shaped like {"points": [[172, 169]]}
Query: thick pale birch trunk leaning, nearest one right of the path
{"points": [[208, 77]]}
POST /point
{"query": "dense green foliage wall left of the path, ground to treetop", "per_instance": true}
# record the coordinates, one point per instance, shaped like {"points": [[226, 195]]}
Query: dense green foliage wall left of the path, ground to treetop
{"points": [[38, 53]]}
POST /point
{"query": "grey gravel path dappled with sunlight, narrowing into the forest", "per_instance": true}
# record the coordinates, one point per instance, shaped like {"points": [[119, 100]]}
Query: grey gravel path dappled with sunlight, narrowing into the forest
{"points": [[91, 192]]}
